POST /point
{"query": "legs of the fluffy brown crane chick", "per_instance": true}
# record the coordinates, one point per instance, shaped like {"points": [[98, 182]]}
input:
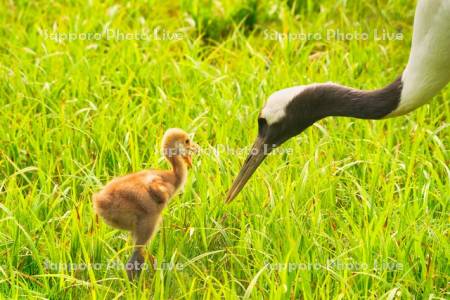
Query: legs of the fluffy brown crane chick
{"points": [[142, 233]]}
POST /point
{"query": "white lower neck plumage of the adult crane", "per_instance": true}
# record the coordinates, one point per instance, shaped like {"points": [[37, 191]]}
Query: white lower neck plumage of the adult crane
{"points": [[428, 68]]}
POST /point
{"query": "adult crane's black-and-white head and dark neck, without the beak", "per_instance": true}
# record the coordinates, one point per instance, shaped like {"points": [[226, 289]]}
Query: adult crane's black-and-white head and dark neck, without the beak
{"points": [[290, 111]]}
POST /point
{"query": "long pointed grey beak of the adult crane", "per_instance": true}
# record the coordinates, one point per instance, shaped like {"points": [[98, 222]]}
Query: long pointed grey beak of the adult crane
{"points": [[259, 151]]}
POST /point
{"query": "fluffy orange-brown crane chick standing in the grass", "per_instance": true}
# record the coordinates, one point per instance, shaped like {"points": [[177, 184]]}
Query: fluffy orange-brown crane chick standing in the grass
{"points": [[134, 202]]}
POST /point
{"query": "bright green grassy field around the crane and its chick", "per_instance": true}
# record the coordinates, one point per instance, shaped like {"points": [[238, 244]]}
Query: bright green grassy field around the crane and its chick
{"points": [[351, 209]]}
